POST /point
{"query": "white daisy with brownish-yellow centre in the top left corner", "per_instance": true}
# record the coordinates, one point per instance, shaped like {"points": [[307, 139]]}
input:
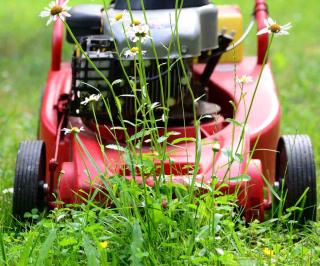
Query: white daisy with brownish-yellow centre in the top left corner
{"points": [[54, 10]]}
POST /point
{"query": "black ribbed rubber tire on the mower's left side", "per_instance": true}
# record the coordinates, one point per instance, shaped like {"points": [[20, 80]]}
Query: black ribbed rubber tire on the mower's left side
{"points": [[28, 191]]}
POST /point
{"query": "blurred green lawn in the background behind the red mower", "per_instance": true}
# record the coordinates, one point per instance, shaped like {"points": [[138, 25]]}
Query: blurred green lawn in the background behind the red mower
{"points": [[25, 60]]}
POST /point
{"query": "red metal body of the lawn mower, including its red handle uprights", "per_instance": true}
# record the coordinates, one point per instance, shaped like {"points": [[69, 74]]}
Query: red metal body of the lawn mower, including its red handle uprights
{"points": [[262, 128]]}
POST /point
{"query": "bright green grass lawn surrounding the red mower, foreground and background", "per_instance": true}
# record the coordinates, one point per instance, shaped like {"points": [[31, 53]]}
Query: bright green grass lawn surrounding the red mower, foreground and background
{"points": [[72, 236]]}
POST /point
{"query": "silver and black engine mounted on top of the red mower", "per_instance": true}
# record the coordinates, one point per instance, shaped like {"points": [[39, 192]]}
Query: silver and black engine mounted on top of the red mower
{"points": [[191, 33]]}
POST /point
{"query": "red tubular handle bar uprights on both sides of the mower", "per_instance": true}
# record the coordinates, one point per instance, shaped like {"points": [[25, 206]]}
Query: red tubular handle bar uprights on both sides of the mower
{"points": [[260, 13]]}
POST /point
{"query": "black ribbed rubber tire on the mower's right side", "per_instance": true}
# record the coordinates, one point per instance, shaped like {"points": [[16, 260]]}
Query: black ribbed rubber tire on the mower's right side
{"points": [[296, 171]]}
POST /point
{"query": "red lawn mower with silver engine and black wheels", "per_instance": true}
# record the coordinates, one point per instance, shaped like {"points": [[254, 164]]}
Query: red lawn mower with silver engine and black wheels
{"points": [[252, 160]]}
